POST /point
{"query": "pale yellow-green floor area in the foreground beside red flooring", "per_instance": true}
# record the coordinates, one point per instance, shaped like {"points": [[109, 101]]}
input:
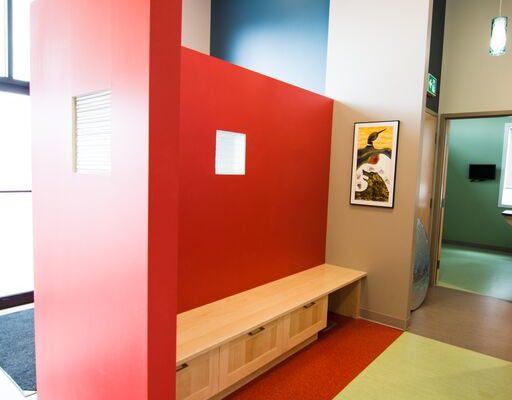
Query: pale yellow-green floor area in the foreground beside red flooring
{"points": [[417, 368]]}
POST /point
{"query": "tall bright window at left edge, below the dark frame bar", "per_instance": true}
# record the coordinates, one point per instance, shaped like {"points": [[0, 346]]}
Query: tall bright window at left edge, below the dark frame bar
{"points": [[16, 263]]}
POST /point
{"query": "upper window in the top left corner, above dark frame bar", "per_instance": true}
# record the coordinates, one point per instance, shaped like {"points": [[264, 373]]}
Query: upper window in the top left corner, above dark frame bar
{"points": [[15, 45]]}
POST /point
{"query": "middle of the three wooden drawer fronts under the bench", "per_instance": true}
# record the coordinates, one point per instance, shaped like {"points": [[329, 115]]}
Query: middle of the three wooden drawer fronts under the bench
{"points": [[250, 352]]}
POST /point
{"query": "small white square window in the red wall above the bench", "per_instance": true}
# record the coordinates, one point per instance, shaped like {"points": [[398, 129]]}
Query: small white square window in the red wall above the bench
{"points": [[230, 153]]}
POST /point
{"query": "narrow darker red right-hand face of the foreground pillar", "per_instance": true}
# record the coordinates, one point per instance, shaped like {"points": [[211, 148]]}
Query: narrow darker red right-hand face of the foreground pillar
{"points": [[164, 113]]}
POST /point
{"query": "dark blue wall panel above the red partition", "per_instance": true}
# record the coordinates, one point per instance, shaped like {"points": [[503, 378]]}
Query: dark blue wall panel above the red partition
{"points": [[285, 39]]}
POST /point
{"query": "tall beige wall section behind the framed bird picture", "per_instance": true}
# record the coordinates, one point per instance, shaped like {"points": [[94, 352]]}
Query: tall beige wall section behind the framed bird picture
{"points": [[376, 68]]}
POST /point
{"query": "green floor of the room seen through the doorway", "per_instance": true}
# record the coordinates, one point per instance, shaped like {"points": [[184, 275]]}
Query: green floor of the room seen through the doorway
{"points": [[479, 271]]}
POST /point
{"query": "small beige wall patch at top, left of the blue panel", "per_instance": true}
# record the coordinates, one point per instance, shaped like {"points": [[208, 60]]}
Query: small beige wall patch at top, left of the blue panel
{"points": [[196, 25]]}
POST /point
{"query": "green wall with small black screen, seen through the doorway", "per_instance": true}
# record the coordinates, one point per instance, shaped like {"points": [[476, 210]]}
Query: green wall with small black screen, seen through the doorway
{"points": [[472, 214]]}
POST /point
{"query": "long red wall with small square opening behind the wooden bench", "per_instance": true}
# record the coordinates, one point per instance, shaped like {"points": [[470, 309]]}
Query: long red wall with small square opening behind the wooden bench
{"points": [[238, 232]]}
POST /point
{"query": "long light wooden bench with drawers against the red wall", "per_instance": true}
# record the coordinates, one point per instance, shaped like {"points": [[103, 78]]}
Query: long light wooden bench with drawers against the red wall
{"points": [[223, 345]]}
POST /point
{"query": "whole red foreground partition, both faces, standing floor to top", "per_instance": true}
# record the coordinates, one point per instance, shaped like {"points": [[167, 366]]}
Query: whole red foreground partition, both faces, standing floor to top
{"points": [[96, 275]]}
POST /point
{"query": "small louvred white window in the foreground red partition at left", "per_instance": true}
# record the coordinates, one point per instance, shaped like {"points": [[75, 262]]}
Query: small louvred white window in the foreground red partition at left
{"points": [[93, 133]]}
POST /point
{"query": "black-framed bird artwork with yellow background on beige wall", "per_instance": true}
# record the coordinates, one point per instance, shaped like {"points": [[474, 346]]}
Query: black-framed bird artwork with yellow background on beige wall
{"points": [[374, 163]]}
